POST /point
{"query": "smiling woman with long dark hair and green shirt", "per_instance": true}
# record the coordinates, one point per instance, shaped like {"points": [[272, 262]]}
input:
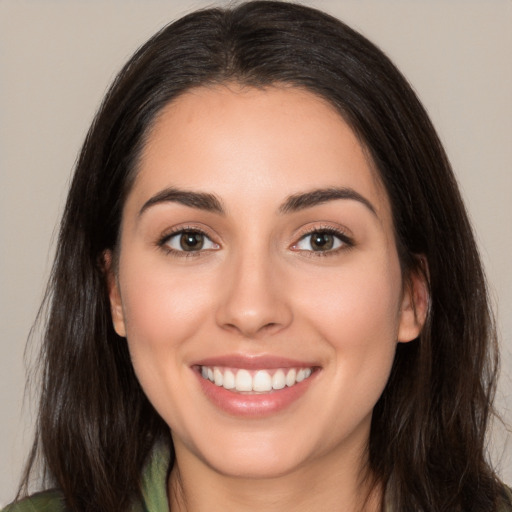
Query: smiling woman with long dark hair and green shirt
{"points": [[266, 292]]}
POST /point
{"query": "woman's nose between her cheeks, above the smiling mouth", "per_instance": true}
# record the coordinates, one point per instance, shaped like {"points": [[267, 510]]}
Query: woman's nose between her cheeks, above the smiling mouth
{"points": [[253, 300]]}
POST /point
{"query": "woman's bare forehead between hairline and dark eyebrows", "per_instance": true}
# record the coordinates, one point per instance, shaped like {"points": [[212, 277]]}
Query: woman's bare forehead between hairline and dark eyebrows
{"points": [[246, 141]]}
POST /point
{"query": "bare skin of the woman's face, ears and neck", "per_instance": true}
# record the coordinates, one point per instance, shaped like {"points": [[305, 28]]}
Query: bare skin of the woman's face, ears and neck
{"points": [[258, 288]]}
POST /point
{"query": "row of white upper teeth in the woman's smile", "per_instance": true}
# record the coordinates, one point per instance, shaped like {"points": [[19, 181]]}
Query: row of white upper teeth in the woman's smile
{"points": [[261, 381]]}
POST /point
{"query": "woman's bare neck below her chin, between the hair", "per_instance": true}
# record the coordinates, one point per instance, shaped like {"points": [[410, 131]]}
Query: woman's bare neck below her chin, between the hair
{"points": [[325, 484]]}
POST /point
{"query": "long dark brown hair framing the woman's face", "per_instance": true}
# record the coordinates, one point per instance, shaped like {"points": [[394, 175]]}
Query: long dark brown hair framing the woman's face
{"points": [[427, 446]]}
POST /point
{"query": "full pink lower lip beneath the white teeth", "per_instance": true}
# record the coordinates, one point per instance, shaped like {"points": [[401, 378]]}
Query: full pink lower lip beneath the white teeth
{"points": [[254, 405]]}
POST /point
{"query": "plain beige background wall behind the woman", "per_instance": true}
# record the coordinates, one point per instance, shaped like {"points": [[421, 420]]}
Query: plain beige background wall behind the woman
{"points": [[57, 58]]}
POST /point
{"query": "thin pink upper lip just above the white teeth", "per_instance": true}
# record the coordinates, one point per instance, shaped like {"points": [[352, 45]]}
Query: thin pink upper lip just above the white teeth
{"points": [[253, 362]]}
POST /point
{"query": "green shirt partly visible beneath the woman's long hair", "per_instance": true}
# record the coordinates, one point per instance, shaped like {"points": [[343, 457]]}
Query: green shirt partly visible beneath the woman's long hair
{"points": [[154, 492]]}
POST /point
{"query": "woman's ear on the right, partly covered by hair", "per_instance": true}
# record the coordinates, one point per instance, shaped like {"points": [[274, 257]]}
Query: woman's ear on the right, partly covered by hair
{"points": [[415, 304]]}
